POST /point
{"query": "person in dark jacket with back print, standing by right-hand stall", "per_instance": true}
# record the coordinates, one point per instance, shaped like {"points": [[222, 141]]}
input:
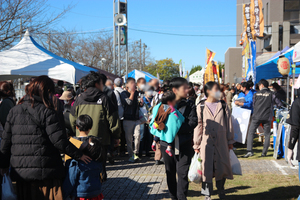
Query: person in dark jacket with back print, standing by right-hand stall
{"points": [[263, 103]]}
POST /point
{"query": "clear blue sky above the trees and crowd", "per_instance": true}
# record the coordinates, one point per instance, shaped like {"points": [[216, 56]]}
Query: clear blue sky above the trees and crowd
{"points": [[191, 17]]}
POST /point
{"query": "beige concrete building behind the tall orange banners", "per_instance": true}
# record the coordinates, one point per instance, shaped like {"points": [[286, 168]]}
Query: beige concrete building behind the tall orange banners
{"points": [[282, 28]]}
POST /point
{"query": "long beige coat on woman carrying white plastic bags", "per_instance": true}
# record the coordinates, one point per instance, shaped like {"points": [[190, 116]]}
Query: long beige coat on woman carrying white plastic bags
{"points": [[212, 138]]}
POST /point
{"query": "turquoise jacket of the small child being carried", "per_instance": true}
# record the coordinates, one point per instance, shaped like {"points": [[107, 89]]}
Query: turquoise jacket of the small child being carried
{"points": [[172, 125]]}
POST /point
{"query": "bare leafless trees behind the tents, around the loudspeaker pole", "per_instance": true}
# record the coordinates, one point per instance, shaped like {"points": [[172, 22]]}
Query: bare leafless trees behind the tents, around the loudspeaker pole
{"points": [[89, 50]]}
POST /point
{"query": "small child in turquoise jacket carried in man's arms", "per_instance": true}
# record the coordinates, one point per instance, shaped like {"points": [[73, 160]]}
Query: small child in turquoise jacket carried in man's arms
{"points": [[166, 121]]}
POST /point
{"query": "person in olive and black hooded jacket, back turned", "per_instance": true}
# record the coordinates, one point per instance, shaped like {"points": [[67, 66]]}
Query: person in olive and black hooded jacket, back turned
{"points": [[95, 103]]}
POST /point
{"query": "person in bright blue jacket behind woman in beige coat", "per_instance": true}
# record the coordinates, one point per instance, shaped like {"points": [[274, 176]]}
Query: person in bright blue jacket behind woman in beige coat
{"points": [[247, 93]]}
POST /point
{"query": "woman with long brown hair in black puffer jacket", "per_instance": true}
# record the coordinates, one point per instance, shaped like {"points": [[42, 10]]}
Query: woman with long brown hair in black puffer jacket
{"points": [[32, 140]]}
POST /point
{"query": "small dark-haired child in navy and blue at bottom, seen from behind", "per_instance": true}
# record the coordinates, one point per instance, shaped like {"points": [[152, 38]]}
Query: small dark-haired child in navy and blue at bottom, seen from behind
{"points": [[83, 181]]}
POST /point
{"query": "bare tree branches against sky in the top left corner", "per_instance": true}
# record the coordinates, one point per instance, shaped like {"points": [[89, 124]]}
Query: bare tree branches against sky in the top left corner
{"points": [[18, 15]]}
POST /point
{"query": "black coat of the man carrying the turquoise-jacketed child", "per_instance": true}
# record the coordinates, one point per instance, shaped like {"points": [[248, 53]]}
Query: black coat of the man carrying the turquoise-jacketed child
{"points": [[185, 133]]}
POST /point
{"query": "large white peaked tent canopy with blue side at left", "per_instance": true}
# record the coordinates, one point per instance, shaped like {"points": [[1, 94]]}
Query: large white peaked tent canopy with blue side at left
{"points": [[28, 59]]}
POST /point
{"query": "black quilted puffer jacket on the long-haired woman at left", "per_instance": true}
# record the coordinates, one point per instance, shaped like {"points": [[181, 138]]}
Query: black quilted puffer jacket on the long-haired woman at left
{"points": [[34, 153]]}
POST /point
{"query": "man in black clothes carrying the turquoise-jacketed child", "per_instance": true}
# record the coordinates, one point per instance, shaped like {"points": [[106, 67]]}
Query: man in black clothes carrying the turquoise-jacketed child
{"points": [[182, 152]]}
